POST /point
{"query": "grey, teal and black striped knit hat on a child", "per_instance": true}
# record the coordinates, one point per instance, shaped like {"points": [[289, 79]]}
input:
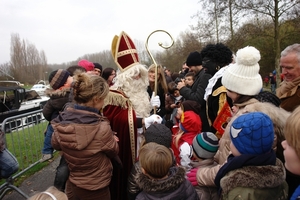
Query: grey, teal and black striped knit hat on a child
{"points": [[205, 145]]}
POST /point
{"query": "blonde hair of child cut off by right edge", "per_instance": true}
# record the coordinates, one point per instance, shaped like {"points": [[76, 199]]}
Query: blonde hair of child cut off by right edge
{"points": [[292, 130]]}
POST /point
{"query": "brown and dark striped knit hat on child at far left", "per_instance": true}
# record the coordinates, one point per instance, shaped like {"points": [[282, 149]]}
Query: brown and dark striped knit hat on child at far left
{"points": [[58, 78]]}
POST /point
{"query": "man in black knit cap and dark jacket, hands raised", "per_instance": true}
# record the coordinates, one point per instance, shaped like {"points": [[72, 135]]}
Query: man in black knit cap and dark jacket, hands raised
{"points": [[197, 91]]}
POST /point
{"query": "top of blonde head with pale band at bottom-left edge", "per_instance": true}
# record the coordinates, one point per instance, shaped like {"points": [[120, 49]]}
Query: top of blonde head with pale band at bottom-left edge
{"points": [[52, 193]]}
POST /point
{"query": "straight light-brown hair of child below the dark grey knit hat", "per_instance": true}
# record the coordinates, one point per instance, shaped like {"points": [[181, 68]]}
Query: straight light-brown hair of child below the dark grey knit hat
{"points": [[155, 159]]}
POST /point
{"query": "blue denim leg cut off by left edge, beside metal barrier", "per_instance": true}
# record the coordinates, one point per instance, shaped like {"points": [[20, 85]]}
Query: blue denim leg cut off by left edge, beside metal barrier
{"points": [[8, 164]]}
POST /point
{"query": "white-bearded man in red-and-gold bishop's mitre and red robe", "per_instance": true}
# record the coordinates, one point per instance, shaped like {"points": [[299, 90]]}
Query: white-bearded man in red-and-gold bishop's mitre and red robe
{"points": [[127, 107]]}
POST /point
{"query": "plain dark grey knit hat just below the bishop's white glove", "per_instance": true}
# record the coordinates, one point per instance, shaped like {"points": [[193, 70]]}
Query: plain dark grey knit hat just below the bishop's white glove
{"points": [[159, 134]]}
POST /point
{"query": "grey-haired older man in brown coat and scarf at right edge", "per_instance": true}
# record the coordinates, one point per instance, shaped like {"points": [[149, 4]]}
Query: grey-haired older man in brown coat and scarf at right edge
{"points": [[289, 90]]}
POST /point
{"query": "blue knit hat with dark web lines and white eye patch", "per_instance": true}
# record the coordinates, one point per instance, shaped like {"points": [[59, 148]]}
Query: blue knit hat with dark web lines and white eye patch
{"points": [[252, 133]]}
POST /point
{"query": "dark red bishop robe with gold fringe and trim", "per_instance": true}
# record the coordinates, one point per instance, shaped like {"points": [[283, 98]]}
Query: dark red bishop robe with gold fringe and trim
{"points": [[118, 109]]}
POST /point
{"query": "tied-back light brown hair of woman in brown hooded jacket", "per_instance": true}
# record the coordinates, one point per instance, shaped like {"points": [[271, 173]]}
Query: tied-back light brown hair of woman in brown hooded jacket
{"points": [[86, 87]]}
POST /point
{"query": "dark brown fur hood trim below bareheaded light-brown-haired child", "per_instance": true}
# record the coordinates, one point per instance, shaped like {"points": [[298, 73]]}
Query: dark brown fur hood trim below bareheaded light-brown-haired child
{"points": [[174, 180]]}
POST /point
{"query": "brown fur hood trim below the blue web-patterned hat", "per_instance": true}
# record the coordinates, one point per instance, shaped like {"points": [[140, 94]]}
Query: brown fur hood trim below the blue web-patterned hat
{"points": [[268, 176]]}
